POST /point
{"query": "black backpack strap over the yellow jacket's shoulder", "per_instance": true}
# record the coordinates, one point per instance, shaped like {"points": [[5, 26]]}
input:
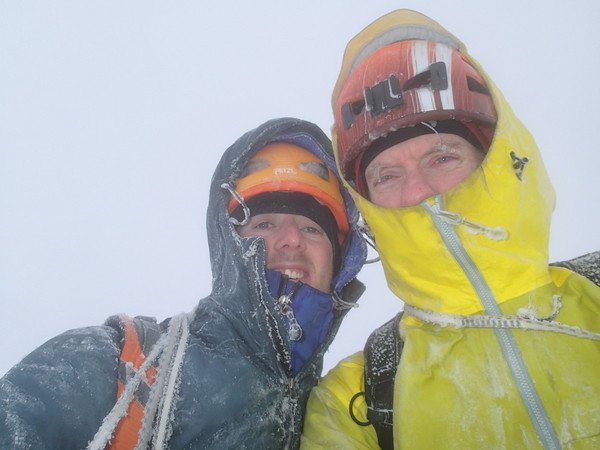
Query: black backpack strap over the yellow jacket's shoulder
{"points": [[382, 356]]}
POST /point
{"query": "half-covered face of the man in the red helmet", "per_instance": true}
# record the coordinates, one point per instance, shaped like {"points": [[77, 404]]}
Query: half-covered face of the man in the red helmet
{"points": [[411, 171]]}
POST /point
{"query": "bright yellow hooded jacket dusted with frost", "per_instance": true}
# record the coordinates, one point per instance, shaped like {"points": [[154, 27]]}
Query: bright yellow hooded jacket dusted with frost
{"points": [[479, 249]]}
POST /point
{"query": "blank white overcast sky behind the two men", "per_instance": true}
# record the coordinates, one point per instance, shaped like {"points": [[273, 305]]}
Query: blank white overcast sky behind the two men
{"points": [[113, 116]]}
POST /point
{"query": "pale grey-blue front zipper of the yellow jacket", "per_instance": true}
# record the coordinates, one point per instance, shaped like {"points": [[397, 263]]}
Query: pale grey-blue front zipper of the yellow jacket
{"points": [[530, 397]]}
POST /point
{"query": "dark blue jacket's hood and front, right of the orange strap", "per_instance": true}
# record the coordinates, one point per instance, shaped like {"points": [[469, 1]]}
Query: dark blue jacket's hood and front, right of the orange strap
{"points": [[240, 350]]}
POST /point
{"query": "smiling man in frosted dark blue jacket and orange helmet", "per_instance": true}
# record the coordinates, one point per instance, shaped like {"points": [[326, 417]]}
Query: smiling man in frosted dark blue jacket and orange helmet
{"points": [[237, 370]]}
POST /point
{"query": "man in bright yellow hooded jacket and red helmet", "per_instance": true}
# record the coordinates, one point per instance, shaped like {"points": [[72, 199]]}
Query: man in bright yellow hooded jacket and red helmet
{"points": [[500, 349]]}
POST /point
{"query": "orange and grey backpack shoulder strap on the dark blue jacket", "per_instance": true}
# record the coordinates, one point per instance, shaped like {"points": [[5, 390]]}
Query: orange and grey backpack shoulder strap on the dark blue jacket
{"points": [[138, 335]]}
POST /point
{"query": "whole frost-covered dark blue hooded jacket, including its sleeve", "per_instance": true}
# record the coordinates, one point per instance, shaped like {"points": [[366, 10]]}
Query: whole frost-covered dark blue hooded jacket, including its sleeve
{"points": [[234, 387]]}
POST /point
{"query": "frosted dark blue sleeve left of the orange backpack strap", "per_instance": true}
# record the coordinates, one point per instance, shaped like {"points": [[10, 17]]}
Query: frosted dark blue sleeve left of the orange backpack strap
{"points": [[57, 396]]}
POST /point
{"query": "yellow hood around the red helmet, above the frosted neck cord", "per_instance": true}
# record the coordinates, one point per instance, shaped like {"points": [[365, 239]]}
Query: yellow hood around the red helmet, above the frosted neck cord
{"points": [[516, 210]]}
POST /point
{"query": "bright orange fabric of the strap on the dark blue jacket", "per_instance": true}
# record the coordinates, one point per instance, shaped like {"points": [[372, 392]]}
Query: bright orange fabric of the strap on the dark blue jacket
{"points": [[127, 431]]}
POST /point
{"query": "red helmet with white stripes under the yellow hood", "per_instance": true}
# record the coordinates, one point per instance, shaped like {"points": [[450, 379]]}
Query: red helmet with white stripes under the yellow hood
{"points": [[406, 83]]}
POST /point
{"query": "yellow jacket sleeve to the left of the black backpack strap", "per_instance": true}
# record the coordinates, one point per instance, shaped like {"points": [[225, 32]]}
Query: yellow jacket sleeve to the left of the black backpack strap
{"points": [[327, 423]]}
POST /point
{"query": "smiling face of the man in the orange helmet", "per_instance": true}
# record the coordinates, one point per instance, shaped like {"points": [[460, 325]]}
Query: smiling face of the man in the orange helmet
{"points": [[296, 247]]}
